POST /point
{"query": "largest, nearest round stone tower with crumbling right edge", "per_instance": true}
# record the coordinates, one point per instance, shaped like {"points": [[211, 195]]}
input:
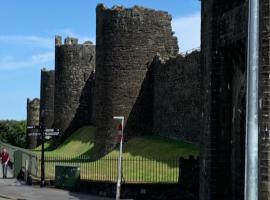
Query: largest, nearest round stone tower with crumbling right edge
{"points": [[127, 41]]}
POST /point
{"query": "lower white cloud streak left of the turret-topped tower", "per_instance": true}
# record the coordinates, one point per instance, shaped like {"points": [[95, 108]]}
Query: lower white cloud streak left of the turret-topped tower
{"points": [[11, 63]]}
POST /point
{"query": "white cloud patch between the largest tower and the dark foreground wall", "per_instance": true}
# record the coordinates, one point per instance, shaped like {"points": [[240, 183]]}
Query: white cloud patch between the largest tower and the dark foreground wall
{"points": [[188, 31]]}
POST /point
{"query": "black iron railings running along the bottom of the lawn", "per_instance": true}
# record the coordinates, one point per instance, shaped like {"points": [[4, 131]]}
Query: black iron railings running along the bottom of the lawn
{"points": [[135, 170]]}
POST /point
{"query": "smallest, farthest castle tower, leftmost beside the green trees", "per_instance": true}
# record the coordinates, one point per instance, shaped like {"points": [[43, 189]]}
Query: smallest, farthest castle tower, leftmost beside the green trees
{"points": [[32, 120]]}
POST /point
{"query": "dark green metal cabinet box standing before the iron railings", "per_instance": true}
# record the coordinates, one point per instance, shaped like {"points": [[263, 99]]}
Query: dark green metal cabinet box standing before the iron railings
{"points": [[67, 177]]}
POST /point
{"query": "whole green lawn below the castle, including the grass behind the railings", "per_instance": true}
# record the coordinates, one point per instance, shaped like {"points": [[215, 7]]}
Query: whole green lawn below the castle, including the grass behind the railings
{"points": [[146, 158]]}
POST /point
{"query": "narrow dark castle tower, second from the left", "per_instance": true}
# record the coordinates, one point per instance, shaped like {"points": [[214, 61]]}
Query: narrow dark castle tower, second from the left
{"points": [[47, 98]]}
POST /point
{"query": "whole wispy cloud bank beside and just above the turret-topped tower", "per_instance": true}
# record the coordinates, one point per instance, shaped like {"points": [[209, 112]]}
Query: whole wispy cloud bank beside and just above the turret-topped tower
{"points": [[33, 42]]}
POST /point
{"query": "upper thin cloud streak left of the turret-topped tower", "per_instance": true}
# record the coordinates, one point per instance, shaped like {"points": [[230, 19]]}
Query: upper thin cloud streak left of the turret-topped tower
{"points": [[28, 40]]}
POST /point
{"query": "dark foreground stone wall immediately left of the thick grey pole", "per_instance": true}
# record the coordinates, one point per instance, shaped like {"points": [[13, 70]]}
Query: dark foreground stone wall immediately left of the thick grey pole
{"points": [[223, 36]]}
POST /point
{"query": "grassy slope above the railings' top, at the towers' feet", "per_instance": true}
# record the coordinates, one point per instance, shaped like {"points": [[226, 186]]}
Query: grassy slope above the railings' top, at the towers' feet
{"points": [[81, 143]]}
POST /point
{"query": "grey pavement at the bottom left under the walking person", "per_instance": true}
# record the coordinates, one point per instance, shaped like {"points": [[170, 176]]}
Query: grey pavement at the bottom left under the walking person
{"points": [[13, 189]]}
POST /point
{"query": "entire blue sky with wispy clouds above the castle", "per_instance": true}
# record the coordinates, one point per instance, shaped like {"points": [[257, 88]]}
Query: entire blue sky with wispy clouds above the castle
{"points": [[28, 27]]}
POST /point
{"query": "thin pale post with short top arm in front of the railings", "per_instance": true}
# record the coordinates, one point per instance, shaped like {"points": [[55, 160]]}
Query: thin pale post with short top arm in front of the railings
{"points": [[119, 179]]}
